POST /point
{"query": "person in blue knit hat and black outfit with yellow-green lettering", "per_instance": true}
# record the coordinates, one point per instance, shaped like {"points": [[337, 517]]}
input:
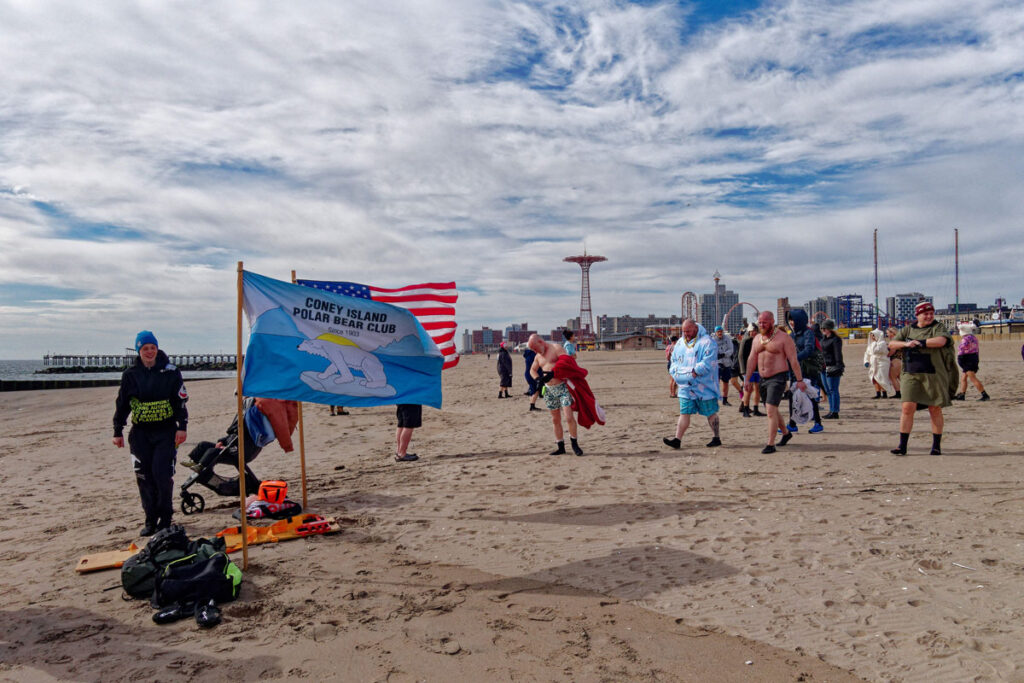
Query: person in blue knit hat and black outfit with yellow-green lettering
{"points": [[153, 392]]}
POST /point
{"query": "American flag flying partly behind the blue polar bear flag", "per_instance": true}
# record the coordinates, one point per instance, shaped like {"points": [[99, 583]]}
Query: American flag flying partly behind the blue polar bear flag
{"points": [[433, 304]]}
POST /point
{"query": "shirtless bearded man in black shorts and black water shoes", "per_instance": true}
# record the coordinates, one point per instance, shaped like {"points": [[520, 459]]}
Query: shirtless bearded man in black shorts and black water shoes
{"points": [[774, 354]]}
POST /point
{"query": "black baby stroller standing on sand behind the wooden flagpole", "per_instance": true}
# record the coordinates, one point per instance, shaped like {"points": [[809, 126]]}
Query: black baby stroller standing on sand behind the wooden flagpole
{"points": [[208, 456]]}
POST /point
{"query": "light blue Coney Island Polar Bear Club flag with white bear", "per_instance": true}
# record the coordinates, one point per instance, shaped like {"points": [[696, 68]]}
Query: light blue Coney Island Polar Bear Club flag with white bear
{"points": [[322, 348]]}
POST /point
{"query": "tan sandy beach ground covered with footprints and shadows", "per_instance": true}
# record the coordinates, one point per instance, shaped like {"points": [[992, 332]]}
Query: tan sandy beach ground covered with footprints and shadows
{"points": [[831, 561]]}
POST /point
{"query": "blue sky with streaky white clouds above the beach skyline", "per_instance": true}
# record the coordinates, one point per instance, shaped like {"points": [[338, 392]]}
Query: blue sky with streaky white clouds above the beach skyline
{"points": [[147, 148]]}
